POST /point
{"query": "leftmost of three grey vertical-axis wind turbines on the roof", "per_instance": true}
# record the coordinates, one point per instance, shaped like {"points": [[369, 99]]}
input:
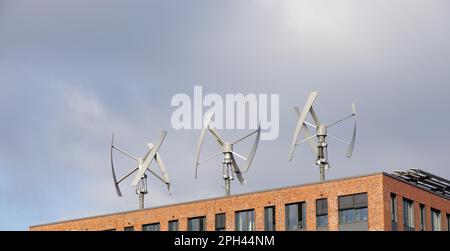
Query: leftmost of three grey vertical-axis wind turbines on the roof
{"points": [[143, 166]]}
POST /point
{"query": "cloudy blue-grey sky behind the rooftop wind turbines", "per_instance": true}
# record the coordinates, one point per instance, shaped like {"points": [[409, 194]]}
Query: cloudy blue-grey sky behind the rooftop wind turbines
{"points": [[72, 72]]}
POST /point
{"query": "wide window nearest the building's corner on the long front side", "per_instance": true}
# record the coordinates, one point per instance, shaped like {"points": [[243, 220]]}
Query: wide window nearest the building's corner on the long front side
{"points": [[353, 214]]}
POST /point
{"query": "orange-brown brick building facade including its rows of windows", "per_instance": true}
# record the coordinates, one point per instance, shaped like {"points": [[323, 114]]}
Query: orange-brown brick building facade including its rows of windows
{"points": [[378, 201]]}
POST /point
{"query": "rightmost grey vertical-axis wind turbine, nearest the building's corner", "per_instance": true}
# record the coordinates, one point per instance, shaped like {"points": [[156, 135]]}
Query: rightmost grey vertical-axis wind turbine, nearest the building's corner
{"points": [[320, 146]]}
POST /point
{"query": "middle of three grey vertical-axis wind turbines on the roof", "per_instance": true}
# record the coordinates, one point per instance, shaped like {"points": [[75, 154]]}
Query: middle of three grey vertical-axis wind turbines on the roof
{"points": [[230, 166]]}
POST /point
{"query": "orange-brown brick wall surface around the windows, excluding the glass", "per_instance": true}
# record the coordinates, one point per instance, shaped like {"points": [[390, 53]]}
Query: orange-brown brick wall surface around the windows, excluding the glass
{"points": [[378, 187]]}
